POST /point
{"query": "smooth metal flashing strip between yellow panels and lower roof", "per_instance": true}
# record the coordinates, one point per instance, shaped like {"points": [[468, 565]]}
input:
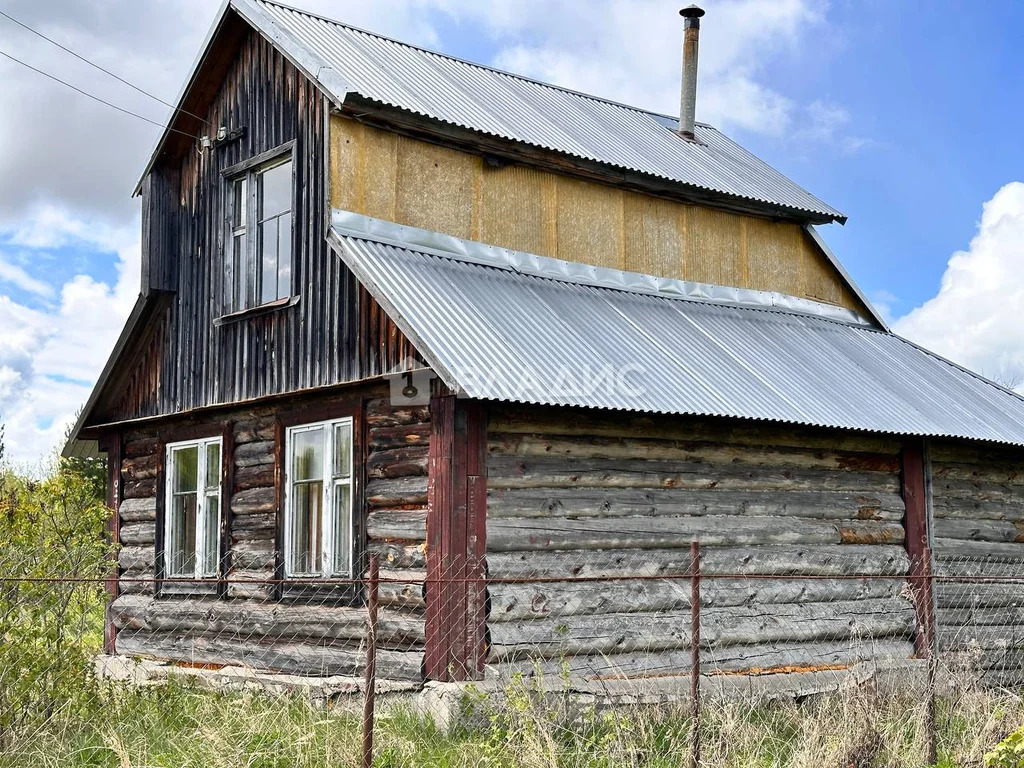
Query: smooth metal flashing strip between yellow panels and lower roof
{"points": [[545, 268]]}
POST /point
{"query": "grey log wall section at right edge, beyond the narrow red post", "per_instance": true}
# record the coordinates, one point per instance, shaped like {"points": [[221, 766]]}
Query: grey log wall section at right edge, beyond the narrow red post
{"points": [[978, 528]]}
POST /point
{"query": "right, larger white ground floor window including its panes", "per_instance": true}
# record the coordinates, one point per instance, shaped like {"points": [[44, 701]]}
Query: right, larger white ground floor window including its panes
{"points": [[319, 500]]}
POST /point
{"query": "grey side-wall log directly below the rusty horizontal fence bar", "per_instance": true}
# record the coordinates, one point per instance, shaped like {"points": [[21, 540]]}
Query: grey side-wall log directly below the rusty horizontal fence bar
{"points": [[515, 603]]}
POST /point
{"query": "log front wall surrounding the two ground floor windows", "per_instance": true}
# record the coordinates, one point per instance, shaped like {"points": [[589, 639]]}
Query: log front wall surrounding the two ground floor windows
{"points": [[244, 622]]}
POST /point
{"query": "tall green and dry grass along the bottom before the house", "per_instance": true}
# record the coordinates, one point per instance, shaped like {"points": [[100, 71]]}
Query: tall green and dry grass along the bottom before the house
{"points": [[182, 726]]}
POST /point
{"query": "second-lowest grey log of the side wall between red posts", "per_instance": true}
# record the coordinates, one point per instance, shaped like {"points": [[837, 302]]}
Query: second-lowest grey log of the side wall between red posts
{"points": [[621, 633]]}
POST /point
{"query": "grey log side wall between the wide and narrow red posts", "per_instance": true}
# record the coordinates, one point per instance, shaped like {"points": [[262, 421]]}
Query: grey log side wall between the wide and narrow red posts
{"points": [[575, 495]]}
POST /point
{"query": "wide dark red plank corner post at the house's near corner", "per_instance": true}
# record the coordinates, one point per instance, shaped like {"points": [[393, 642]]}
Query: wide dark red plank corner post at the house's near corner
{"points": [[456, 540]]}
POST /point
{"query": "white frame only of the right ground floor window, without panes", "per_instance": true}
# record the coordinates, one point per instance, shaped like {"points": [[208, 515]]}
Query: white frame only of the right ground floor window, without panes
{"points": [[330, 483]]}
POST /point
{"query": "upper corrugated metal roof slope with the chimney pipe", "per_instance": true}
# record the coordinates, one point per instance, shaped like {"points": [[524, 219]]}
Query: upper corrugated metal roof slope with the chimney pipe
{"points": [[346, 60]]}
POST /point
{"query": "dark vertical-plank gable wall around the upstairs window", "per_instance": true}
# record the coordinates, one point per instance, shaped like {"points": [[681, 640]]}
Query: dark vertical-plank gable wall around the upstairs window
{"points": [[335, 333]]}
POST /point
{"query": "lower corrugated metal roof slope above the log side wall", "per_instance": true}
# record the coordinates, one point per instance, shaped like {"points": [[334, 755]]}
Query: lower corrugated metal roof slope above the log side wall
{"points": [[505, 333]]}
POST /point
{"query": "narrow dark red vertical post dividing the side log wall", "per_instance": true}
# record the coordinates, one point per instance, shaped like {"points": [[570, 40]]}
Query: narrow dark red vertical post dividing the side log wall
{"points": [[916, 484]]}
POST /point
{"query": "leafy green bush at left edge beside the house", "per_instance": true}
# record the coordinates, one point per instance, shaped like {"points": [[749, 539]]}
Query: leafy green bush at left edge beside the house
{"points": [[54, 558]]}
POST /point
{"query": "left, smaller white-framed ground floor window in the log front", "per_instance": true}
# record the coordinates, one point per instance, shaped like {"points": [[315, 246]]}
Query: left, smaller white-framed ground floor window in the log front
{"points": [[192, 522]]}
